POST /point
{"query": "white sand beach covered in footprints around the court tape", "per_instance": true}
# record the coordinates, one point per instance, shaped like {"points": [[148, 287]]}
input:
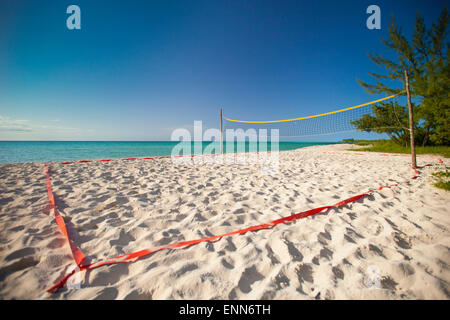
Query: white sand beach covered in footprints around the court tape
{"points": [[394, 244]]}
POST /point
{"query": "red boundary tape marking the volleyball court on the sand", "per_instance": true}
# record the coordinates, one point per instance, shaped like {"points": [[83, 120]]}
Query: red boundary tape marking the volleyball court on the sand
{"points": [[80, 259]]}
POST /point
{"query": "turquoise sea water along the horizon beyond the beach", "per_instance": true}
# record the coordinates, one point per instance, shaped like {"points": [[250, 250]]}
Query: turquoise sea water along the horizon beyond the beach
{"points": [[44, 151]]}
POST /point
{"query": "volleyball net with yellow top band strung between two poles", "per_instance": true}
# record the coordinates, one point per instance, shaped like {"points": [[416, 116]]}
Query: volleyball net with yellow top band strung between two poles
{"points": [[377, 116]]}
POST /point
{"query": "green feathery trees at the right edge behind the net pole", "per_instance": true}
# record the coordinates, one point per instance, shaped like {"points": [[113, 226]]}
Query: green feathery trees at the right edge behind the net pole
{"points": [[425, 57]]}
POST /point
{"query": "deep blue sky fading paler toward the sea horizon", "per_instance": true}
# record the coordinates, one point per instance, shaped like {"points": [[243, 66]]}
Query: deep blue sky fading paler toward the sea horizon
{"points": [[137, 70]]}
